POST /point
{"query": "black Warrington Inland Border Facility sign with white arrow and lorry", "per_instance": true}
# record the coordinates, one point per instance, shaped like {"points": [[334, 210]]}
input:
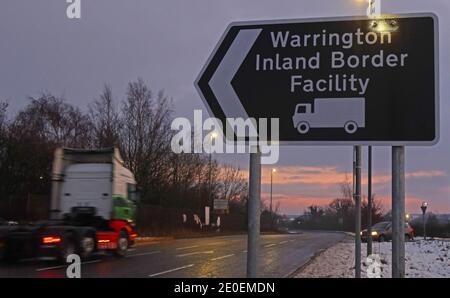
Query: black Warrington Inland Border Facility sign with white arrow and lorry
{"points": [[333, 81]]}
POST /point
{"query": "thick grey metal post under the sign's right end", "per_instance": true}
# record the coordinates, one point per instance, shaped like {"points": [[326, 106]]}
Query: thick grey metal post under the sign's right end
{"points": [[398, 211]]}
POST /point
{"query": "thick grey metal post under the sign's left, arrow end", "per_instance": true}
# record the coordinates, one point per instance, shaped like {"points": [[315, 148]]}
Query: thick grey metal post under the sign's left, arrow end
{"points": [[253, 214]]}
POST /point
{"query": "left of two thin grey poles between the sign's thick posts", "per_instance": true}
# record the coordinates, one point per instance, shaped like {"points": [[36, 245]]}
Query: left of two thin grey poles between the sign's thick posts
{"points": [[357, 197]]}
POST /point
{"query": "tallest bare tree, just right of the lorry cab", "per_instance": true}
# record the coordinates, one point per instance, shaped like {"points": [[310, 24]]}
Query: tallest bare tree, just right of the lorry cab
{"points": [[145, 137]]}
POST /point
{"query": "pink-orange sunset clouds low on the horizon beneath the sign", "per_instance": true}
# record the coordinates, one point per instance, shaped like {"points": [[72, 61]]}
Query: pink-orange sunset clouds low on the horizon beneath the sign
{"points": [[327, 179]]}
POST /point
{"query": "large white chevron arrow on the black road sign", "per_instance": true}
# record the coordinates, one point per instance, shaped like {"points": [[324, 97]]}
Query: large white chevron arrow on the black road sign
{"points": [[220, 82]]}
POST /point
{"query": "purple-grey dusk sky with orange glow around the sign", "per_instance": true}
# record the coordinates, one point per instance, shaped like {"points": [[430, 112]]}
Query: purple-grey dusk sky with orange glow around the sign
{"points": [[167, 42]]}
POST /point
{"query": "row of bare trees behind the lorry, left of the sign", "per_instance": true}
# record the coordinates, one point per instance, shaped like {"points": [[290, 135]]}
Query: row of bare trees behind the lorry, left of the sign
{"points": [[138, 124]]}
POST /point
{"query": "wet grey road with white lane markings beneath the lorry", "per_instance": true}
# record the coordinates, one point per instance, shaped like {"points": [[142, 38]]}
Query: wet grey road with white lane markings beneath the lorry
{"points": [[280, 256]]}
